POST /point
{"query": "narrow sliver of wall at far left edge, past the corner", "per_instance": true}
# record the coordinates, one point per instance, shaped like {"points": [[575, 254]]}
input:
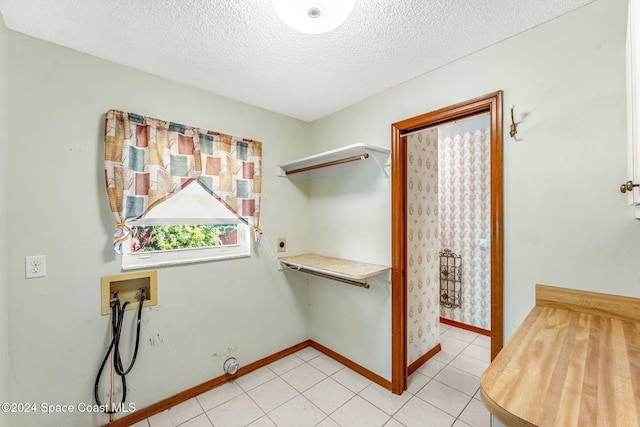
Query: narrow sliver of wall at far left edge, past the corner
{"points": [[4, 226]]}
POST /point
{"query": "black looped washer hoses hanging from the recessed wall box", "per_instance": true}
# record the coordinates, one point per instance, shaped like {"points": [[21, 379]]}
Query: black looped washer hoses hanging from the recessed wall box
{"points": [[117, 317]]}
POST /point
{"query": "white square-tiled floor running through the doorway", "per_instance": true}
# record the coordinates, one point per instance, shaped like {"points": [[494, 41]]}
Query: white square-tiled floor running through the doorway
{"points": [[310, 389]]}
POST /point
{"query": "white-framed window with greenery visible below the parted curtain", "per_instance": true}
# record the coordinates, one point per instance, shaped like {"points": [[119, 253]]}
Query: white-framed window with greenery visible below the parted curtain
{"points": [[192, 226]]}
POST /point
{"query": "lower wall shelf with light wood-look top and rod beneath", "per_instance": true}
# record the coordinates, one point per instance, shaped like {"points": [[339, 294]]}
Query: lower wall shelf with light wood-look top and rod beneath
{"points": [[345, 271]]}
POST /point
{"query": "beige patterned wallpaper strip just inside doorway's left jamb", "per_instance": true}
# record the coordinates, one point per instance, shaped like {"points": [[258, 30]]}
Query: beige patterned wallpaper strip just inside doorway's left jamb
{"points": [[423, 244]]}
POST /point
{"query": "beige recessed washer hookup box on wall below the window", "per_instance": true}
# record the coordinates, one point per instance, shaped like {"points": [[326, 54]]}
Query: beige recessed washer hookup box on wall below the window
{"points": [[128, 287]]}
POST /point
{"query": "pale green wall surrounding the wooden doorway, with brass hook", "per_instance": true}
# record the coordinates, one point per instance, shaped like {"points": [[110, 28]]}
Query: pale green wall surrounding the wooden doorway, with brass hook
{"points": [[565, 222]]}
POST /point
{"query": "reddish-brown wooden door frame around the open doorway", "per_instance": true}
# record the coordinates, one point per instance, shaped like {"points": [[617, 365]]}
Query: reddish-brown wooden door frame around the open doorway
{"points": [[492, 104]]}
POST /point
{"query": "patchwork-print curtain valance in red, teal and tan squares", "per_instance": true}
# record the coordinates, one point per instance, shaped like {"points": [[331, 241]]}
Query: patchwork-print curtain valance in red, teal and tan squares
{"points": [[149, 160]]}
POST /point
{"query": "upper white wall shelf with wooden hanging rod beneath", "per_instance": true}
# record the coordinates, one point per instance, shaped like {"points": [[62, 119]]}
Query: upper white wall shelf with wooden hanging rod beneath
{"points": [[335, 161]]}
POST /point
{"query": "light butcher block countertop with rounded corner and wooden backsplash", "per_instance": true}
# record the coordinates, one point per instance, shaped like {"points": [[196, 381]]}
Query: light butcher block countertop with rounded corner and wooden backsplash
{"points": [[574, 361]]}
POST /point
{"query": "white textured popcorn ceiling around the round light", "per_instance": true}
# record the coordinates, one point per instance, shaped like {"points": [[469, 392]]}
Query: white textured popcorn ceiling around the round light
{"points": [[241, 50]]}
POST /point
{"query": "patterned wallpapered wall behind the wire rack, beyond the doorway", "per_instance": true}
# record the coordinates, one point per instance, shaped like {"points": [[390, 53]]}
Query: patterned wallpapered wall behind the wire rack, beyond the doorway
{"points": [[465, 208]]}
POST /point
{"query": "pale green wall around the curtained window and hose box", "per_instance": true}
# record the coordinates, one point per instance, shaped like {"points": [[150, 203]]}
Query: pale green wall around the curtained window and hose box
{"points": [[58, 207]]}
